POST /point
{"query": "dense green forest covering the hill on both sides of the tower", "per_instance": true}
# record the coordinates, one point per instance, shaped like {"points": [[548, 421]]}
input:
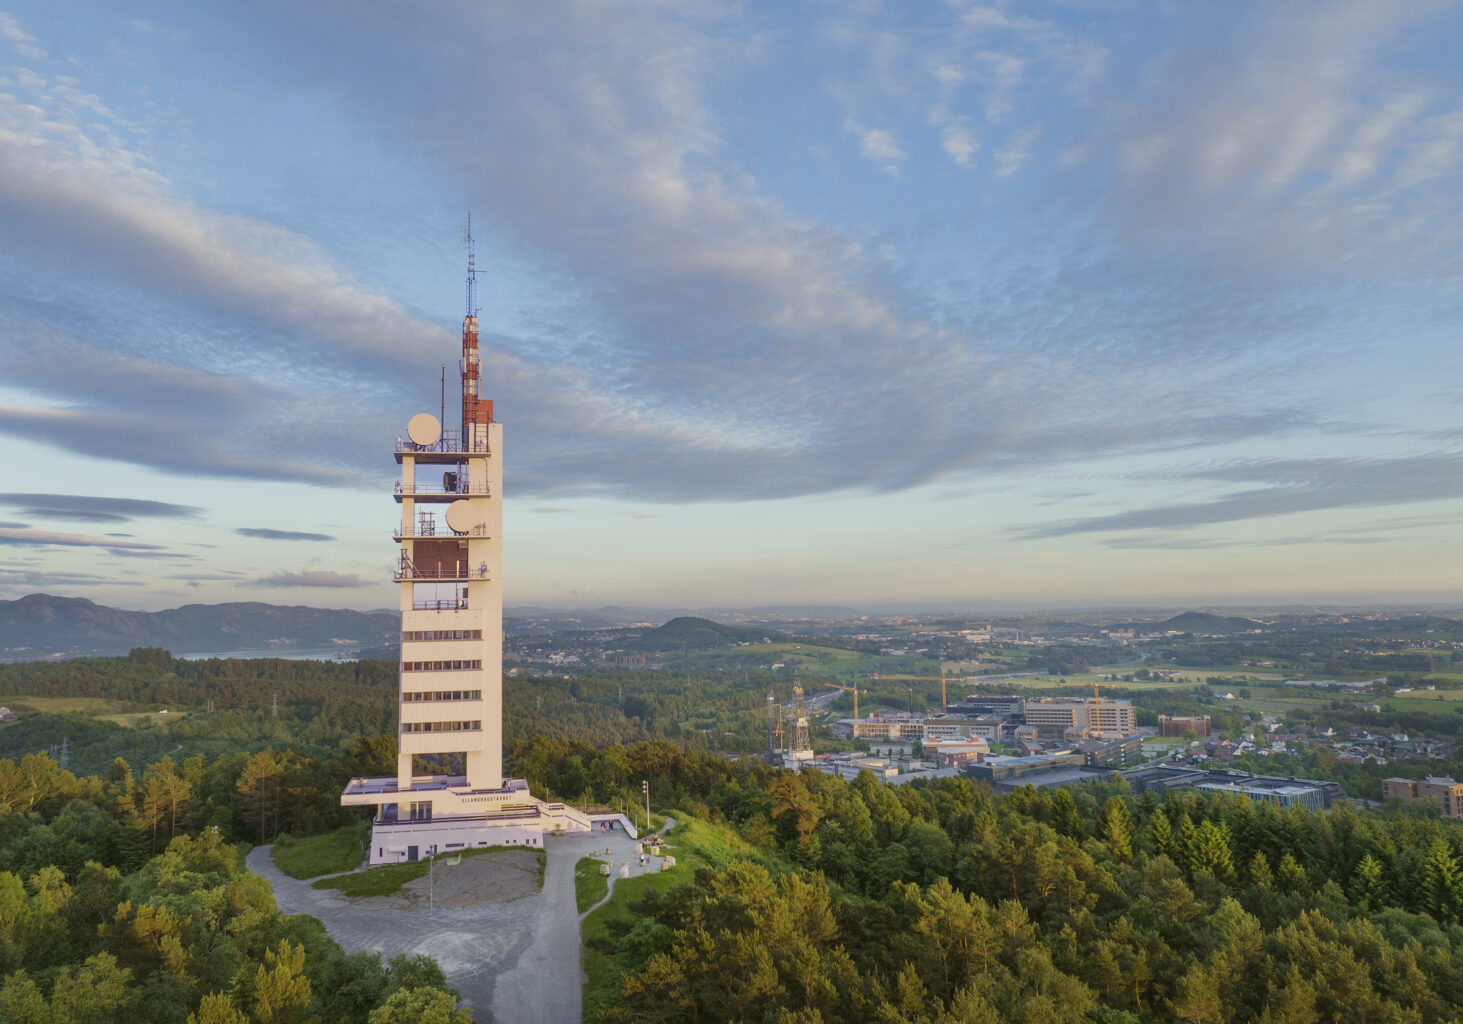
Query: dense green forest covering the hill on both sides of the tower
{"points": [[124, 893]]}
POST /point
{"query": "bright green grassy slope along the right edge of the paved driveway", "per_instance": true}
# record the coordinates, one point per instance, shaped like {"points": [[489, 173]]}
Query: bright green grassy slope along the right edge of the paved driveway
{"points": [[694, 843]]}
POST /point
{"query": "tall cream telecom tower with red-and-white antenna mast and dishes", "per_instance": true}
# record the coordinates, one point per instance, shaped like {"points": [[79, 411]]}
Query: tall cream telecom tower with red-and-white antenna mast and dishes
{"points": [[451, 684]]}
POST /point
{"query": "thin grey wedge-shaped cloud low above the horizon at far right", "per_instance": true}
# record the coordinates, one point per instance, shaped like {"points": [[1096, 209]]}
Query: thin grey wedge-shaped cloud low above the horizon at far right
{"points": [[1288, 486]]}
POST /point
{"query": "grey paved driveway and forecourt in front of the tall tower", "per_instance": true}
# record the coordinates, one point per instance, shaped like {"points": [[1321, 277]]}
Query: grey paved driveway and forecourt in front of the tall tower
{"points": [[522, 959]]}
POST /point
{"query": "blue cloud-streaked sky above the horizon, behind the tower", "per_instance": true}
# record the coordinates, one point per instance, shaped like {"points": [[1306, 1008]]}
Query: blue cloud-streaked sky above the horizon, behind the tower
{"points": [[987, 306]]}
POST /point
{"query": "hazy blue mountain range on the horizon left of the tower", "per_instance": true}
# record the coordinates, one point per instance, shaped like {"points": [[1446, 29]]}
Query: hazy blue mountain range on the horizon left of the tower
{"points": [[43, 627]]}
